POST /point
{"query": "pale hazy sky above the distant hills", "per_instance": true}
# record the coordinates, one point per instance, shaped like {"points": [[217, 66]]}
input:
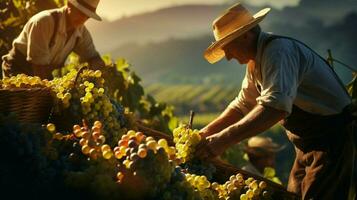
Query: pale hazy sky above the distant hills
{"points": [[114, 9]]}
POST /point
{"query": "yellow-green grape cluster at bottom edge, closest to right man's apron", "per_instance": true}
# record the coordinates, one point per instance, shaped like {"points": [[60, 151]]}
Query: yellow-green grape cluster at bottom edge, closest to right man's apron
{"points": [[244, 189]]}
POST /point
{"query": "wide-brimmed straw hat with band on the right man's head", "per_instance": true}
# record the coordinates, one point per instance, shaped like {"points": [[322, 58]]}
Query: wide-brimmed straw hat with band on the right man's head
{"points": [[232, 24]]}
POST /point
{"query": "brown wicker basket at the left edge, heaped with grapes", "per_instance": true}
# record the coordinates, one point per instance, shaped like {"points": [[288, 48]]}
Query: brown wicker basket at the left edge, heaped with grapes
{"points": [[31, 105]]}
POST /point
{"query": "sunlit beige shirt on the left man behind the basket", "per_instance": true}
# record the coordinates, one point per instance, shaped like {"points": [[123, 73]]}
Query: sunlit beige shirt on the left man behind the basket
{"points": [[34, 40]]}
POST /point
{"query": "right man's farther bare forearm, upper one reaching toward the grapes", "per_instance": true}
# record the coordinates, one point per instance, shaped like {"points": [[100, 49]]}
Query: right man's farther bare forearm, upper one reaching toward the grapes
{"points": [[227, 118]]}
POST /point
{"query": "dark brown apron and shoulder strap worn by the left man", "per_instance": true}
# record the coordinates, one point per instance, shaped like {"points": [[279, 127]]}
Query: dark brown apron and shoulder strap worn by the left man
{"points": [[15, 62]]}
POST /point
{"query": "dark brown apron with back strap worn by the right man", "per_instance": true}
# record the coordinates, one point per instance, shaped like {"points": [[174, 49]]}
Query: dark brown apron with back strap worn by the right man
{"points": [[323, 167]]}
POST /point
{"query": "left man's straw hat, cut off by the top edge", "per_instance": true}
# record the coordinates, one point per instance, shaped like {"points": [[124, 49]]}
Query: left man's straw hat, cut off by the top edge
{"points": [[88, 7]]}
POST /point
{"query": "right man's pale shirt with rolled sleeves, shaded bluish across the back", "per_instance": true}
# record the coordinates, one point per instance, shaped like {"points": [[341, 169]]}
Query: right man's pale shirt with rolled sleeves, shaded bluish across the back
{"points": [[290, 74]]}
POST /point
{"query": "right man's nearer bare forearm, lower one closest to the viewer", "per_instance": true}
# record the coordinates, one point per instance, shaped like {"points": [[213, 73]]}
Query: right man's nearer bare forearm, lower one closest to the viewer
{"points": [[256, 121]]}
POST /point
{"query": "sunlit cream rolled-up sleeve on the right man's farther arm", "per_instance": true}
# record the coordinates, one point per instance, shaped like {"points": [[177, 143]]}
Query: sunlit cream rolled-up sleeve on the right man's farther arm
{"points": [[246, 99]]}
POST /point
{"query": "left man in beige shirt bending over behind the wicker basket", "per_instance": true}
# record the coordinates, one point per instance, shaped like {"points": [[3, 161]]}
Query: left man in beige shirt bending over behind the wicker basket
{"points": [[49, 37]]}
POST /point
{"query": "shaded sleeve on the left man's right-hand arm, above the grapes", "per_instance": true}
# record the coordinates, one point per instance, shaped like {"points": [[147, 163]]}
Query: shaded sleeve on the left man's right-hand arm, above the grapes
{"points": [[85, 47]]}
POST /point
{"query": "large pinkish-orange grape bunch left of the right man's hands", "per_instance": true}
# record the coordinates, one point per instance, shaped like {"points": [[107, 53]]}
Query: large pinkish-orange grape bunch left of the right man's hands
{"points": [[138, 151]]}
